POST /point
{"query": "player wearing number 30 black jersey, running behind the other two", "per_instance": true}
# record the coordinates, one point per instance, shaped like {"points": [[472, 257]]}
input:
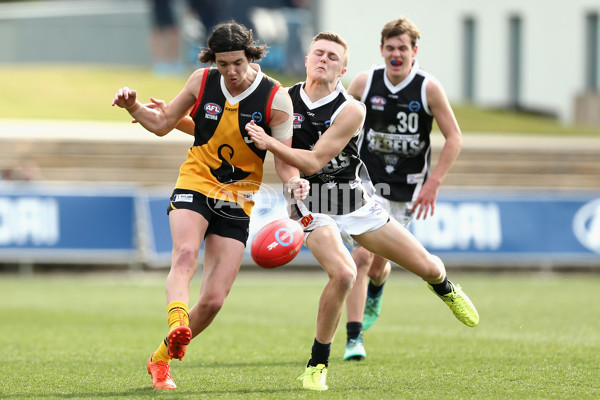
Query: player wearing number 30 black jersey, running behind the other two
{"points": [[402, 101]]}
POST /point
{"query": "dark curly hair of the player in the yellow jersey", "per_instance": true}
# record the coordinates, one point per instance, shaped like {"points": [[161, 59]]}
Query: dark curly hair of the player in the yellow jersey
{"points": [[231, 36]]}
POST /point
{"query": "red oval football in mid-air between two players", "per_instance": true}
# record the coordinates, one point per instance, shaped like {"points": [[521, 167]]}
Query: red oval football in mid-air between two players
{"points": [[277, 243]]}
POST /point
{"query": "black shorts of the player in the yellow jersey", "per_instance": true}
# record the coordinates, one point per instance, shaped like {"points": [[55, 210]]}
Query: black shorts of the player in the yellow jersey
{"points": [[225, 218]]}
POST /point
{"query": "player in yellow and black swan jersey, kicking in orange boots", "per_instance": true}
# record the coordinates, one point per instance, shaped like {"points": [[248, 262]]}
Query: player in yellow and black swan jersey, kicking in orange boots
{"points": [[212, 199]]}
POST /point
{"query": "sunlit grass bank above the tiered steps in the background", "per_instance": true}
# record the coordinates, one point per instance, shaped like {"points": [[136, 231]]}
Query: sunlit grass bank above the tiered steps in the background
{"points": [[84, 92]]}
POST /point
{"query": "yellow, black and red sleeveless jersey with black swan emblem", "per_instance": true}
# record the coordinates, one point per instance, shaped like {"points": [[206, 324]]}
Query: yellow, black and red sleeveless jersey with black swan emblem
{"points": [[224, 164]]}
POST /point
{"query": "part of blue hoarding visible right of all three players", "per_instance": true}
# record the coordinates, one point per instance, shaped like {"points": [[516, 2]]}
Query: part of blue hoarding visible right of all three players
{"points": [[511, 226]]}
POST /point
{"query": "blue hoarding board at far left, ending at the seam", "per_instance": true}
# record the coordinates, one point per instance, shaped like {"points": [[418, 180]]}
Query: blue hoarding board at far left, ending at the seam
{"points": [[41, 222]]}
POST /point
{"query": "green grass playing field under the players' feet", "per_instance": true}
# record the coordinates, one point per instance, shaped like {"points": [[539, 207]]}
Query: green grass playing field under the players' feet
{"points": [[89, 337]]}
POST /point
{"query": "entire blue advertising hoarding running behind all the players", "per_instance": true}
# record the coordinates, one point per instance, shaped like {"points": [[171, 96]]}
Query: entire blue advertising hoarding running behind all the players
{"points": [[123, 224]]}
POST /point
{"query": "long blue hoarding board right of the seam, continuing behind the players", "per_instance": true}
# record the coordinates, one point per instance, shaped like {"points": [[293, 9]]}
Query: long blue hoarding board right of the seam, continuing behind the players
{"points": [[470, 227]]}
